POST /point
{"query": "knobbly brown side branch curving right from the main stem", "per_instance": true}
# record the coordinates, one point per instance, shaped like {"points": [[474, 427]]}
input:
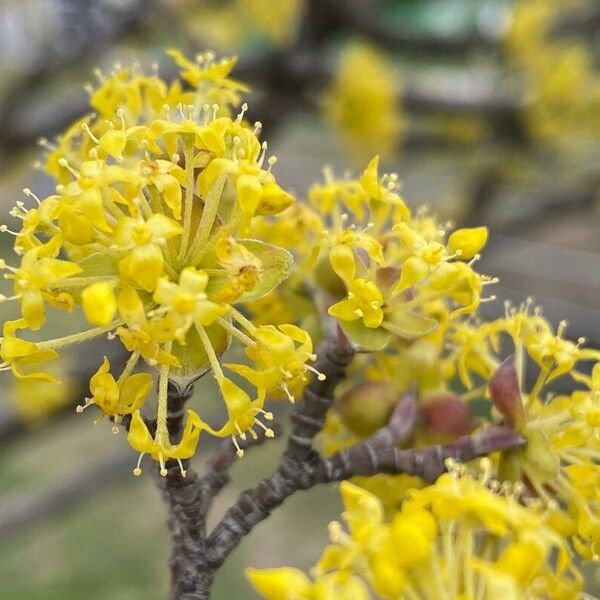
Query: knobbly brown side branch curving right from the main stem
{"points": [[300, 470]]}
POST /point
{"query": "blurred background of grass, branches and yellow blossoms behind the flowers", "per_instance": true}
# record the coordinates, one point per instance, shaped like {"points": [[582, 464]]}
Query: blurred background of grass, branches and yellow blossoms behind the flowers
{"points": [[489, 111]]}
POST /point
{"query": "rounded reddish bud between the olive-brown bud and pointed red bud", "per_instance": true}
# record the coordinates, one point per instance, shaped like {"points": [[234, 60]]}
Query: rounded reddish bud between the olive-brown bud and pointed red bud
{"points": [[446, 415]]}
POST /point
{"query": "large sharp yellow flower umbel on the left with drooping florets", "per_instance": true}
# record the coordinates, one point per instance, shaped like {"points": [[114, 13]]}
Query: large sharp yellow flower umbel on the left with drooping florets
{"points": [[154, 192]]}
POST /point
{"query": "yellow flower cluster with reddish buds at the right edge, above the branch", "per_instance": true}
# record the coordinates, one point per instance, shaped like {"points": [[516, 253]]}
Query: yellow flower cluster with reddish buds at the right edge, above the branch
{"points": [[463, 383]]}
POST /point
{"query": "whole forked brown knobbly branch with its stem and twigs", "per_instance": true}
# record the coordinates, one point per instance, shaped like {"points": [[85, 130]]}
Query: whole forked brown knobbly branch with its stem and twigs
{"points": [[197, 554]]}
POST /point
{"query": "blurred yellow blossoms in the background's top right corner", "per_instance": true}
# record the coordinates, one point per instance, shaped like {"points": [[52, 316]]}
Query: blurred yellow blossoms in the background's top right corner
{"points": [[558, 70]]}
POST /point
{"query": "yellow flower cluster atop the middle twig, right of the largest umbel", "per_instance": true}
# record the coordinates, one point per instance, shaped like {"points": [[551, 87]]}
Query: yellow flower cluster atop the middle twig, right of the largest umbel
{"points": [[387, 276]]}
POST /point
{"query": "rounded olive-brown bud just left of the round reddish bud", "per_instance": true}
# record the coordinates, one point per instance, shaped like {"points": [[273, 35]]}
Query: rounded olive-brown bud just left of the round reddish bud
{"points": [[368, 406]]}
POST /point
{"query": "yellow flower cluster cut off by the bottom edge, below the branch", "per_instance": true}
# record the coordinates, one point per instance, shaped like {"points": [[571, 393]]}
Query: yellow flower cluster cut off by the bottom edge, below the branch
{"points": [[459, 538]]}
